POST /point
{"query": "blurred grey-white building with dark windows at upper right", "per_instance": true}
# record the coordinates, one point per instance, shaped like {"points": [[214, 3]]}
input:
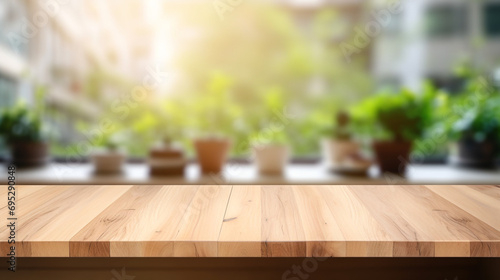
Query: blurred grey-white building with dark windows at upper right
{"points": [[433, 37]]}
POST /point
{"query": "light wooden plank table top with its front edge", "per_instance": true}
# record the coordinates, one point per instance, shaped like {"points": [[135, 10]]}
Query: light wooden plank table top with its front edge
{"points": [[255, 221]]}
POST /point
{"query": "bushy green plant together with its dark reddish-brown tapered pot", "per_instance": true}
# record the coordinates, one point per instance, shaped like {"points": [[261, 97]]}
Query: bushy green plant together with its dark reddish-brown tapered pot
{"points": [[394, 121]]}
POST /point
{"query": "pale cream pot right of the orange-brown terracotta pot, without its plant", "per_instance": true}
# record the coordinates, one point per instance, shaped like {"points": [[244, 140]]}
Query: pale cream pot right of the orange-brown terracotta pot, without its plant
{"points": [[271, 159]]}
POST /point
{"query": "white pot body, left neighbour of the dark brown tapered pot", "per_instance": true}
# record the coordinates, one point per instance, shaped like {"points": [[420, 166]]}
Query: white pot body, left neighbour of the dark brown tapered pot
{"points": [[335, 152]]}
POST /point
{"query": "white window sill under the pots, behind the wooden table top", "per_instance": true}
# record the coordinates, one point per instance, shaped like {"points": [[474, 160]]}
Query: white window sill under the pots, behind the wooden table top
{"points": [[241, 174]]}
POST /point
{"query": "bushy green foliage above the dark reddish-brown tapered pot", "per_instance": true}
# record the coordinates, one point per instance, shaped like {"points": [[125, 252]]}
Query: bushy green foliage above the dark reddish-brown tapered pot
{"points": [[402, 116]]}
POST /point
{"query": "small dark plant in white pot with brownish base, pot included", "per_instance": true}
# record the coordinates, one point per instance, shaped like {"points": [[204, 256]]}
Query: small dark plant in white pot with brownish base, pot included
{"points": [[340, 151]]}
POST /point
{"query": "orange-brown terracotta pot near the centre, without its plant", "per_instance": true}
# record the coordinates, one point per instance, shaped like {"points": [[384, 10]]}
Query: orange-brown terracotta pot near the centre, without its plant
{"points": [[212, 154]]}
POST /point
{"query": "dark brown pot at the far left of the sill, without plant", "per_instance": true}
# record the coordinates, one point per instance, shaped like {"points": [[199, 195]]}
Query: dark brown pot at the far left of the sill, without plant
{"points": [[29, 154]]}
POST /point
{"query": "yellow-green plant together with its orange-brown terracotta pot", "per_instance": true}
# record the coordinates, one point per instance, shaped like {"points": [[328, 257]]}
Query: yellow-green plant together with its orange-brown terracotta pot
{"points": [[215, 116]]}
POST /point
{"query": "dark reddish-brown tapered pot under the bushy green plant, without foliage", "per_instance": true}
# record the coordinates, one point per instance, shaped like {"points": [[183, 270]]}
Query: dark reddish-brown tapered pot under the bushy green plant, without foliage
{"points": [[393, 156]]}
